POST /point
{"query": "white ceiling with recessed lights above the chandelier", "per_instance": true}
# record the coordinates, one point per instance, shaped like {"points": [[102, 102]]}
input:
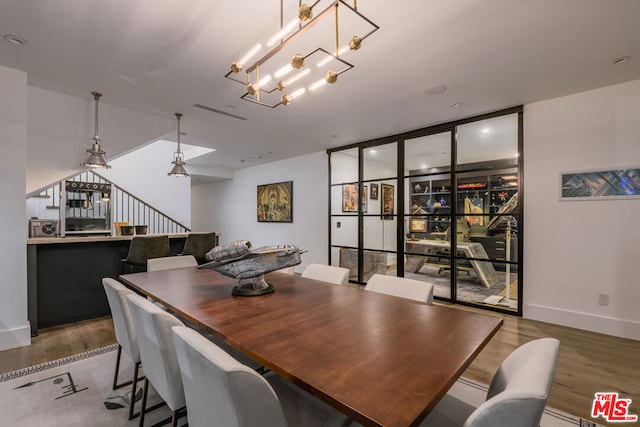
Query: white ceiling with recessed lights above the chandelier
{"points": [[164, 56]]}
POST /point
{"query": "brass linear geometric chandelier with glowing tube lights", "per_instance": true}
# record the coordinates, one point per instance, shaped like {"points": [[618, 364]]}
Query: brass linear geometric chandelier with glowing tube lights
{"points": [[304, 55]]}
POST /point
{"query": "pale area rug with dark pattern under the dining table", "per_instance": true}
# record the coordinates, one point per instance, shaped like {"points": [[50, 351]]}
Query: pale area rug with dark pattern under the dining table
{"points": [[76, 391]]}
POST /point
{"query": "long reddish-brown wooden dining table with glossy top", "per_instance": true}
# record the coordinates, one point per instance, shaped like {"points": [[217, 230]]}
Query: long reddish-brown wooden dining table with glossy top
{"points": [[380, 359]]}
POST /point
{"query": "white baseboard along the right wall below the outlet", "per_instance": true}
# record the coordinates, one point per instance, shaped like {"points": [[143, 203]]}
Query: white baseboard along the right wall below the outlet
{"points": [[574, 319]]}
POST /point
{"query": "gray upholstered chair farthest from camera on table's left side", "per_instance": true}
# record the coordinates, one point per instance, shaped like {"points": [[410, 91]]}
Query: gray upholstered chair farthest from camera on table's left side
{"points": [[125, 334]]}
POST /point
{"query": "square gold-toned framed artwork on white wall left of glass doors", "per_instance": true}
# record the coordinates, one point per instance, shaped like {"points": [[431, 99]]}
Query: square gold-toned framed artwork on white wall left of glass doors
{"points": [[275, 202]]}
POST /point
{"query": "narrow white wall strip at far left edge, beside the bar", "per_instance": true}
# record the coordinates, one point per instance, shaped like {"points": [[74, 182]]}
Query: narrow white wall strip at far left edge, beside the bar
{"points": [[14, 327]]}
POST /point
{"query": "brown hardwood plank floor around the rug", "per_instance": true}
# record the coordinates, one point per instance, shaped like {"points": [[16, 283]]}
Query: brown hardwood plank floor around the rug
{"points": [[588, 362]]}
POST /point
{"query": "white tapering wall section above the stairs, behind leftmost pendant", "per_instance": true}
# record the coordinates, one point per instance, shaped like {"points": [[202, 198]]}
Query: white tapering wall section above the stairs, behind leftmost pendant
{"points": [[60, 128]]}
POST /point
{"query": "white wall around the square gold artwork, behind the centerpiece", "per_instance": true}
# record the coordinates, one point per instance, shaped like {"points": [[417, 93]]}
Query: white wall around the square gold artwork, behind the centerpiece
{"points": [[229, 207]]}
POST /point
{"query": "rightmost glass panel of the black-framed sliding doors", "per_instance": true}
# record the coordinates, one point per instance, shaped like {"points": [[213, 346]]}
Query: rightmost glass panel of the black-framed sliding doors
{"points": [[487, 212]]}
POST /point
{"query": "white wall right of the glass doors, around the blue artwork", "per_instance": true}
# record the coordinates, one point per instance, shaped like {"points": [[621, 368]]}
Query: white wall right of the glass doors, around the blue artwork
{"points": [[577, 249]]}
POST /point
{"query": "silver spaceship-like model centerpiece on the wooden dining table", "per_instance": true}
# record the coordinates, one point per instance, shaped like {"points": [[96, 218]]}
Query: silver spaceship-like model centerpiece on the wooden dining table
{"points": [[238, 260]]}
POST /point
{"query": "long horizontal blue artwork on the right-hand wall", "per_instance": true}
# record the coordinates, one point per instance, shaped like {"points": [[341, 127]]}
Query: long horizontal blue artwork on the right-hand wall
{"points": [[600, 184]]}
